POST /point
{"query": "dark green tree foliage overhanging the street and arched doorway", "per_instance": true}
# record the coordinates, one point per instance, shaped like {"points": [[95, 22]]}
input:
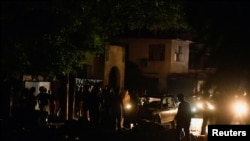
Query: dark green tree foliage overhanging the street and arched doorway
{"points": [[54, 37]]}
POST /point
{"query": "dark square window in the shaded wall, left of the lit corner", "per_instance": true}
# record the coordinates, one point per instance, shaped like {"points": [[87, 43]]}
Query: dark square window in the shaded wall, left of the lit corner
{"points": [[156, 52]]}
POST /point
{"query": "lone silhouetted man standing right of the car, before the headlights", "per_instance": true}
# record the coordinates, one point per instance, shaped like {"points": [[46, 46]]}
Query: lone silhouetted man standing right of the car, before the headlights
{"points": [[183, 118]]}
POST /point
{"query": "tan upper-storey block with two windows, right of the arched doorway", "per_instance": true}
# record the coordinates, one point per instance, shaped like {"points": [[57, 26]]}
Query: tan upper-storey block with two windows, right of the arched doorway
{"points": [[157, 59]]}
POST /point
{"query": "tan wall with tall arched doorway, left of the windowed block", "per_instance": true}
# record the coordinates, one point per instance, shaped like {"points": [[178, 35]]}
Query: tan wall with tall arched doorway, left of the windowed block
{"points": [[100, 68]]}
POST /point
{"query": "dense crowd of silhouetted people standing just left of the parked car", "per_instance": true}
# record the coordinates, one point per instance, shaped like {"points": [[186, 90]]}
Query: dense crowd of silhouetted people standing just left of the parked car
{"points": [[102, 107]]}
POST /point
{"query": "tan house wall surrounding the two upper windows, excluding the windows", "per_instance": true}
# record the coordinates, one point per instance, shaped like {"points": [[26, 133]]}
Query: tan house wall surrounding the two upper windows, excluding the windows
{"points": [[138, 53]]}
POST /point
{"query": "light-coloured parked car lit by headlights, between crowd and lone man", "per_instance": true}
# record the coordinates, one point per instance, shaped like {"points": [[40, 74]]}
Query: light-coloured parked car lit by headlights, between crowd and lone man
{"points": [[160, 109]]}
